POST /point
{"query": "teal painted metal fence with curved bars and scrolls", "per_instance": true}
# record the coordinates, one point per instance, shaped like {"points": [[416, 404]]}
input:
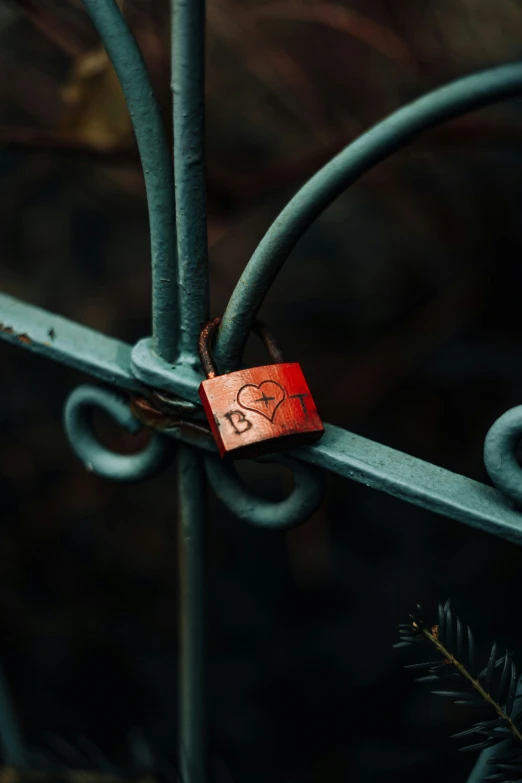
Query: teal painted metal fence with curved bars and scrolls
{"points": [[155, 383]]}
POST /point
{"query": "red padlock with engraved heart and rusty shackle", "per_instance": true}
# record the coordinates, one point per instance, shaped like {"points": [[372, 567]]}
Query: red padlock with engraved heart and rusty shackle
{"points": [[257, 410]]}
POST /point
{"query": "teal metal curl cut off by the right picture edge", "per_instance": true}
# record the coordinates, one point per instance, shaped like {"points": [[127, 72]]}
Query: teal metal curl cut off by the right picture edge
{"points": [[500, 454]]}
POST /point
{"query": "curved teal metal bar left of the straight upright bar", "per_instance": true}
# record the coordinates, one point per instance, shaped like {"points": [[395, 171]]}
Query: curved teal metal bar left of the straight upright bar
{"points": [[156, 159]]}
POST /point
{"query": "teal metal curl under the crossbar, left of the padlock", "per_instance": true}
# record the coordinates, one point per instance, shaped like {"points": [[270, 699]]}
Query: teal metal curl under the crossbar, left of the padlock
{"points": [[80, 432]]}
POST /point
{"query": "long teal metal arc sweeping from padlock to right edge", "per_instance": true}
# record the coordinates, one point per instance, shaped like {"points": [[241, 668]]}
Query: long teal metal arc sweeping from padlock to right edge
{"points": [[381, 141]]}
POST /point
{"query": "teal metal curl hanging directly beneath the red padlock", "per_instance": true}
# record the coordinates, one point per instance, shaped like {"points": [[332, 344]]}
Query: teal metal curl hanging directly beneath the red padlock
{"points": [[304, 499]]}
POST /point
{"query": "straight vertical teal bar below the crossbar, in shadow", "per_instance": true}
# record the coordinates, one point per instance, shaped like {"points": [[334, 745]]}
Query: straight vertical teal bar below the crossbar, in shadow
{"points": [[191, 535]]}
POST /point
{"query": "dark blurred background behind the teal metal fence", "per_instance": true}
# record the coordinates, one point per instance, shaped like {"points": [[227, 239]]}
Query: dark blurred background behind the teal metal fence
{"points": [[402, 304]]}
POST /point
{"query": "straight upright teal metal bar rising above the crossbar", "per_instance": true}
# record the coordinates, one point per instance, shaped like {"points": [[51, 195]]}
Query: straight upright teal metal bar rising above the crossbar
{"points": [[188, 85]]}
